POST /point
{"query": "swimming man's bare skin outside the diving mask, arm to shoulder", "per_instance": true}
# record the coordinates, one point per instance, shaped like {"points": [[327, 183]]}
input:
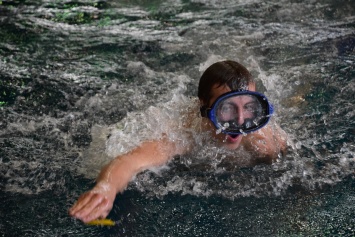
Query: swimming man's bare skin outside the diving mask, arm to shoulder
{"points": [[265, 145]]}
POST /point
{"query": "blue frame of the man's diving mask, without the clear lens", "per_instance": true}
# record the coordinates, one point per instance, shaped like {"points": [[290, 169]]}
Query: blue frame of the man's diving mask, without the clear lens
{"points": [[267, 111]]}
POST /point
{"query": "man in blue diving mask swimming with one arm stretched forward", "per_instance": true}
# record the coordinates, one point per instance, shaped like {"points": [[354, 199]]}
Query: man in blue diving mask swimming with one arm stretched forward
{"points": [[231, 109]]}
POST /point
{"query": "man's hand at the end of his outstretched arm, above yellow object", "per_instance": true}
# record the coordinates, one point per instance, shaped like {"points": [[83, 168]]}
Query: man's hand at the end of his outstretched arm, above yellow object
{"points": [[96, 203]]}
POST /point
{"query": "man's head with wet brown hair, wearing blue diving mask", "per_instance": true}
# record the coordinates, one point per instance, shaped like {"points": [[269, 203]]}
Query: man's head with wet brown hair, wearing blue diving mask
{"points": [[228, 99]]}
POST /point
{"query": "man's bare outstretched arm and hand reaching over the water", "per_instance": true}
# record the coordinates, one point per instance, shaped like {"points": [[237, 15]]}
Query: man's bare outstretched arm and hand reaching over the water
{"points": [[114, 177]]}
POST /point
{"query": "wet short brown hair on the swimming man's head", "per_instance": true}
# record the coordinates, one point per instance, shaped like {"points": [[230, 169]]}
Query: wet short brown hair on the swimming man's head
{"points": [[229, 73]]}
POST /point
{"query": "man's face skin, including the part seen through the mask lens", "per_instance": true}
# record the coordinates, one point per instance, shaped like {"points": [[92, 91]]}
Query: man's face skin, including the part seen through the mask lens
{"points": [[241, 109]]}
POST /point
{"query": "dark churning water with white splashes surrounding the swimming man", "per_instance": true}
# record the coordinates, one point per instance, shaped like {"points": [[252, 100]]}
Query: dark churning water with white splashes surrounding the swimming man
{"points": [[70, 70]]}
